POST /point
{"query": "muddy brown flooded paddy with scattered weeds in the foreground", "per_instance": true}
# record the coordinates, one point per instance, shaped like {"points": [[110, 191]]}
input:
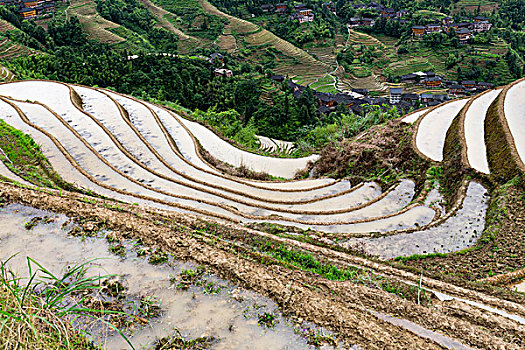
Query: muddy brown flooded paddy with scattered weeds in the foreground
{"points": [[216, 309]]}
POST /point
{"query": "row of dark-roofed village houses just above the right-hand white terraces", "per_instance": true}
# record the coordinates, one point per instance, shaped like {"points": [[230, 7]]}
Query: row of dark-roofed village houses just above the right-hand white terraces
{"points": [[431, 80]]}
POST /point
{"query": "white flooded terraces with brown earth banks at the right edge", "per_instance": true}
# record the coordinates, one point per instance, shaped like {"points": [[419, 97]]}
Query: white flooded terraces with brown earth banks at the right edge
{"points": [[432, 126]]}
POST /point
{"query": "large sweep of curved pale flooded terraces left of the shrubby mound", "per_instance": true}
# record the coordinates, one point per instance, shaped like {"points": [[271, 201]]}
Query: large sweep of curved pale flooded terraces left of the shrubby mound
{"points": [[138, 152]]}
